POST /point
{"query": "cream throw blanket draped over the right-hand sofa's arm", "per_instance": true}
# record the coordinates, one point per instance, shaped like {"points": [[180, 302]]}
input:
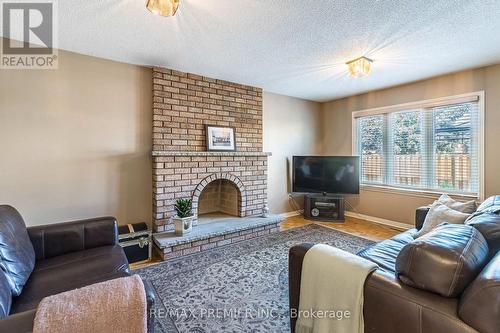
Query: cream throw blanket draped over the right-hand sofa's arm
{"points": [[331, 291]]}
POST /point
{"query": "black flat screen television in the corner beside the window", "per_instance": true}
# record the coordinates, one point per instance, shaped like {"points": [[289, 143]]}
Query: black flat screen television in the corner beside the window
{"points": [[325, 174]]}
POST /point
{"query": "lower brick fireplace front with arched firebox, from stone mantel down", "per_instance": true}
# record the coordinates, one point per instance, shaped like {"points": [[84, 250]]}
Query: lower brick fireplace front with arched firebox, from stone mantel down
{"points": [[189, 174]]}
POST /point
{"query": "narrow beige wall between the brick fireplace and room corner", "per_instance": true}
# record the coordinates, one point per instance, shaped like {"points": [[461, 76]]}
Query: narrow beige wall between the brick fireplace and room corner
{"points": [[291, 127]]}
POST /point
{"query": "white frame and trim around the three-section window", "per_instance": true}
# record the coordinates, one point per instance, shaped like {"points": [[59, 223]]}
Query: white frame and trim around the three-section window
{"points": [[456, 99]]}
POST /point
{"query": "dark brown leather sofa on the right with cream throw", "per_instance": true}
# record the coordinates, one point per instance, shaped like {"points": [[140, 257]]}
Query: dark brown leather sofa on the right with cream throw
{"points": [[391, 305]]}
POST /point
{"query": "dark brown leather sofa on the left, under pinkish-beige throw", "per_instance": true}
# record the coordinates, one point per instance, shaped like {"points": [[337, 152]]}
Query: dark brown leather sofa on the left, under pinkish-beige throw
{"points": [[68, 256]]}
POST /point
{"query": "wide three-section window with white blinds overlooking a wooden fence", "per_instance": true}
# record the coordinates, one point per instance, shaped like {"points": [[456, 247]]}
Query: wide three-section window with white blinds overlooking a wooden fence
{"points": [[426, 146]]}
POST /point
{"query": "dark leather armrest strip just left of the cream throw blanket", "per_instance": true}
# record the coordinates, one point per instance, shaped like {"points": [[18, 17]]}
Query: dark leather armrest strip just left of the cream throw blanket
{"points": [[295, 259]]}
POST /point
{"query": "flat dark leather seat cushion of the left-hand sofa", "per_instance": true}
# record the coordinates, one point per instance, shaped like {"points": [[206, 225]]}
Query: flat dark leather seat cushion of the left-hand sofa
{"points": [[73, 270]]}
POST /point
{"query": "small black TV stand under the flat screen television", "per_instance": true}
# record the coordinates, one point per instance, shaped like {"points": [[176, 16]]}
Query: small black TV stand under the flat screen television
{"points": [[324, 207]]}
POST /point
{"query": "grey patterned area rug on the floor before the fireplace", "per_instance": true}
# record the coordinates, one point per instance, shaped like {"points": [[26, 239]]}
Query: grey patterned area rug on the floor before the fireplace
{"points": [[241, 287]]}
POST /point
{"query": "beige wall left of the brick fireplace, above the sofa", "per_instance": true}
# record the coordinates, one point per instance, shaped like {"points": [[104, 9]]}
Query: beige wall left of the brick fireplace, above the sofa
{"points": [[76, 142]]}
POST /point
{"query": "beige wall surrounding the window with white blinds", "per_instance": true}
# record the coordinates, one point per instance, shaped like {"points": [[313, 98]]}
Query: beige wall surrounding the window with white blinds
{"points": [[338, 136]]}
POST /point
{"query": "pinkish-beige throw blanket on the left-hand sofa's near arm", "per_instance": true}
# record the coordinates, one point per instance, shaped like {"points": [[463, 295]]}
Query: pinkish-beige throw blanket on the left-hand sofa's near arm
{"points": [[113, 306]]}
